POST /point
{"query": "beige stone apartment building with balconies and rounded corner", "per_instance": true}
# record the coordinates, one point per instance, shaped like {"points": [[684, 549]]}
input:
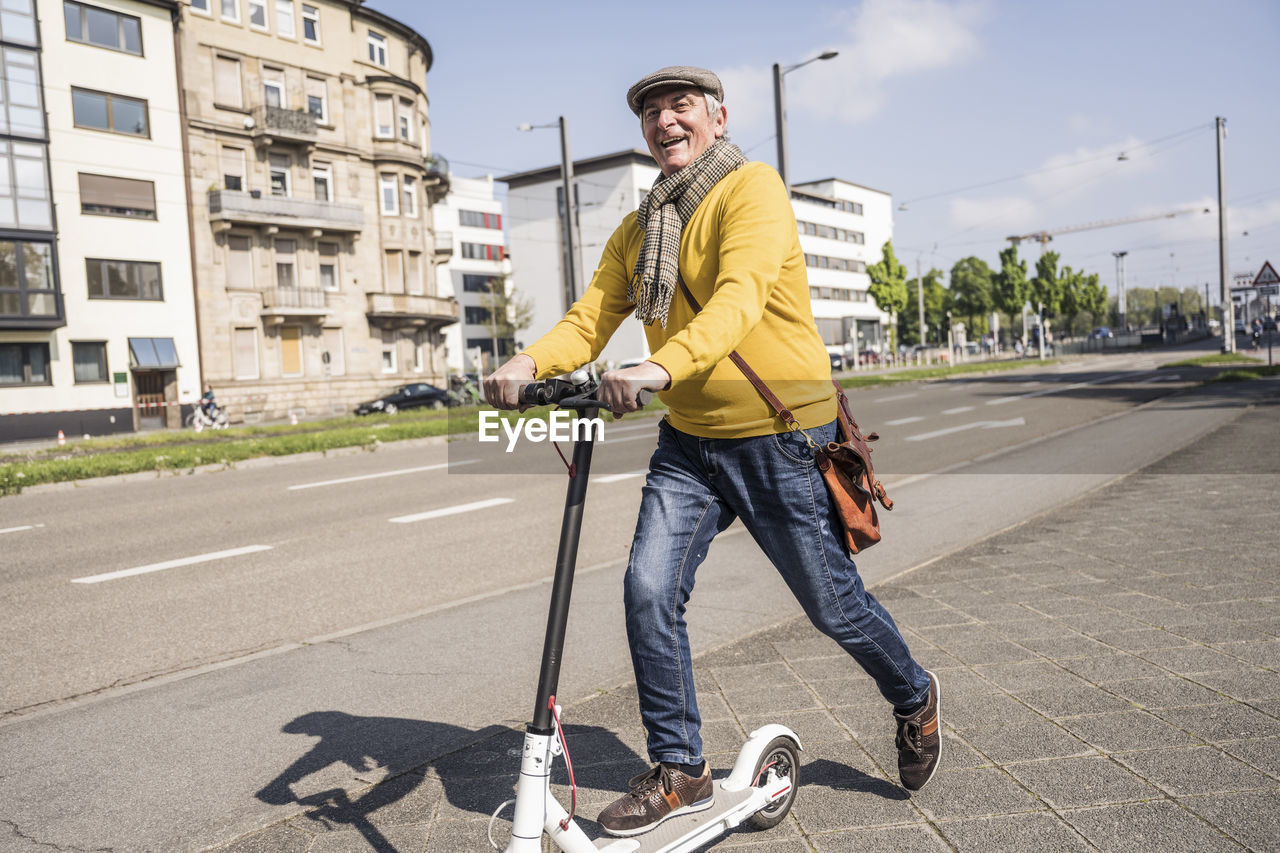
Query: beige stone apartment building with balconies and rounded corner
{"points": [[312, 185]]}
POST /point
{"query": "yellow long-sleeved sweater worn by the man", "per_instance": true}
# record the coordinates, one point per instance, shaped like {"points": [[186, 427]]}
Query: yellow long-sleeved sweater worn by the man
{"points": [[740, 257]]}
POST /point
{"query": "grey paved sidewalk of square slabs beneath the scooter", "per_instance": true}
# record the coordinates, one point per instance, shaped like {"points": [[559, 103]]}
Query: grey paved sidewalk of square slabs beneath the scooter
{"points": [[1110, 681]]}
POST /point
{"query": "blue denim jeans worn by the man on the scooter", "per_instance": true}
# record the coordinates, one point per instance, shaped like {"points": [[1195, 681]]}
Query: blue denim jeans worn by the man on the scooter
{"points": [[694, 490]]}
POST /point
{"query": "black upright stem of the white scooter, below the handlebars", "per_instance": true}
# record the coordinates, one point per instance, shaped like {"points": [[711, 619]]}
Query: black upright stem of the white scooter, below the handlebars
{"points": [[563, 589]]}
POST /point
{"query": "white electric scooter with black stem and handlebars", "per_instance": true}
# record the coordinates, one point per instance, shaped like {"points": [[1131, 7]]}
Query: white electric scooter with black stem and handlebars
{"points": [[762, 786]]}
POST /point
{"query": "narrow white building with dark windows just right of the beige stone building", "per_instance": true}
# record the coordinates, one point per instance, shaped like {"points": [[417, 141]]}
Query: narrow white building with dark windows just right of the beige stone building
{"points": [[473, 216]]}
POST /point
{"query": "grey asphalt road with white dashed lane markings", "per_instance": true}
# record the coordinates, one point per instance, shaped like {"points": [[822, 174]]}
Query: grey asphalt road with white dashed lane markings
{"points": [[167, 641]]}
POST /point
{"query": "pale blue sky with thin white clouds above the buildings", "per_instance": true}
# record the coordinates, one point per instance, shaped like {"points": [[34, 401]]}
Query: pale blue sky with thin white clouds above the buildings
{"points": [[985, 118]]}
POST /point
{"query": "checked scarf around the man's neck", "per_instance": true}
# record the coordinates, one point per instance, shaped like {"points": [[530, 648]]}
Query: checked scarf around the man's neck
{"points": [[664, 216]]}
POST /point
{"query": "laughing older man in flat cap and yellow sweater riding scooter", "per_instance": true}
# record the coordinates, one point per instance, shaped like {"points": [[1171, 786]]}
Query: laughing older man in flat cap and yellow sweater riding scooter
{"points": [[726, 227]]}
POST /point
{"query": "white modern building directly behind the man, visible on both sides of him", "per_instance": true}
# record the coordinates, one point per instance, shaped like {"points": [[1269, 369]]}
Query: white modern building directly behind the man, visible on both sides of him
{"points": [[843, 229]]}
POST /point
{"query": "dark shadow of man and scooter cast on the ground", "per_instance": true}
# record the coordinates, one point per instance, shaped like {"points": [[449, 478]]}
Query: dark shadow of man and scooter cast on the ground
{"points": [[477, 770]]}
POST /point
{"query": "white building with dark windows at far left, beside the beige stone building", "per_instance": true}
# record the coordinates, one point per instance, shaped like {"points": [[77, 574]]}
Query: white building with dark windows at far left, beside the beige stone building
{"points": [[98, 323]]}
